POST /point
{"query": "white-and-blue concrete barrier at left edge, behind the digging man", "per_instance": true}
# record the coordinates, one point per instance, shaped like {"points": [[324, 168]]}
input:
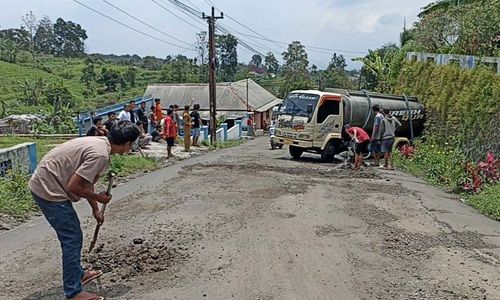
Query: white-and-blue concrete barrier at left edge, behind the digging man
{"points": [[21, 157]]}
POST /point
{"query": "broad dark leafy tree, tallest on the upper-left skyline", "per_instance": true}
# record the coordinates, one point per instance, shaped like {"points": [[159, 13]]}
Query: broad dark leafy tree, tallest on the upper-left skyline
{"points": [[70, 38]]}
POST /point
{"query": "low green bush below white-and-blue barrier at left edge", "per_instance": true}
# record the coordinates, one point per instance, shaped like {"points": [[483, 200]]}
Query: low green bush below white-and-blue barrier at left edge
{"points": [[15, 198]]}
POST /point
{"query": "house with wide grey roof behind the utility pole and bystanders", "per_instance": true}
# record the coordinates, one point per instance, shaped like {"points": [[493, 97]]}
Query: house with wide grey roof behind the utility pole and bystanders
{"points": [[232, 102]]}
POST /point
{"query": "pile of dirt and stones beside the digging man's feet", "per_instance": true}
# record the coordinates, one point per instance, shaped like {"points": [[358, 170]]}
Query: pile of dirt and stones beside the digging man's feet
{"points": [[140, 257]]}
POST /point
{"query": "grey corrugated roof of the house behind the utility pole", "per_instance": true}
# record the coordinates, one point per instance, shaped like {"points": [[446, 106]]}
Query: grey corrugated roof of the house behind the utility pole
{"points": [[230, 96]]}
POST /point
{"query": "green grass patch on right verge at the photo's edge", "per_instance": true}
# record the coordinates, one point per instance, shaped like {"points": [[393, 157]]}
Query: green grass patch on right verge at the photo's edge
{"points": [[487, 201]]}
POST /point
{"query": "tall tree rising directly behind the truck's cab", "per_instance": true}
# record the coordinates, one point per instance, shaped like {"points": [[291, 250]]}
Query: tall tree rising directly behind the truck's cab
{"points": [[295, 73]]}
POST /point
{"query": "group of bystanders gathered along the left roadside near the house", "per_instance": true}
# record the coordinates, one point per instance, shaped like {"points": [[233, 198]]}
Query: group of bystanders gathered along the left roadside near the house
{"points": [[155, 126]]}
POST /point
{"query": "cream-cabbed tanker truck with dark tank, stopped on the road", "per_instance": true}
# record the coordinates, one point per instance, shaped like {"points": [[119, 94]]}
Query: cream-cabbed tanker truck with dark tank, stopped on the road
{"points": [[313, 121]]}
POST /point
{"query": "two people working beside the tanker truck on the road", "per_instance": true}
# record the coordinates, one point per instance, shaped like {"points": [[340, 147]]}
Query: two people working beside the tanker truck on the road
{"points": [[381, 140]]}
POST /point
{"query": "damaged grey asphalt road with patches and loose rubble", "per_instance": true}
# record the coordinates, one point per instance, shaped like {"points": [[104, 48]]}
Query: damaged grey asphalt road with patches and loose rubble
{"points": [[250, 223]]}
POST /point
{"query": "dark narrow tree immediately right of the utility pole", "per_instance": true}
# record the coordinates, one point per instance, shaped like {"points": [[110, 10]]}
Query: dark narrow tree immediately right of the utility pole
{"points": [[227, 57]]}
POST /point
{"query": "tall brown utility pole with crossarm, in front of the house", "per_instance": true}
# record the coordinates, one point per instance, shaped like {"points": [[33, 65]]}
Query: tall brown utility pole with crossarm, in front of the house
{"points": [[211, 73]]}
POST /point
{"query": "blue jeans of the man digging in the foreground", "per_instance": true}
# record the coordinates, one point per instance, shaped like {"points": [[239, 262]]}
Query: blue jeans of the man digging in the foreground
{"points": [[63, 218]]}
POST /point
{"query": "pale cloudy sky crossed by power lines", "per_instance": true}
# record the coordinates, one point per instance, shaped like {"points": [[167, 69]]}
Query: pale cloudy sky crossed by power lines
{"points": [[349, 27]]}
